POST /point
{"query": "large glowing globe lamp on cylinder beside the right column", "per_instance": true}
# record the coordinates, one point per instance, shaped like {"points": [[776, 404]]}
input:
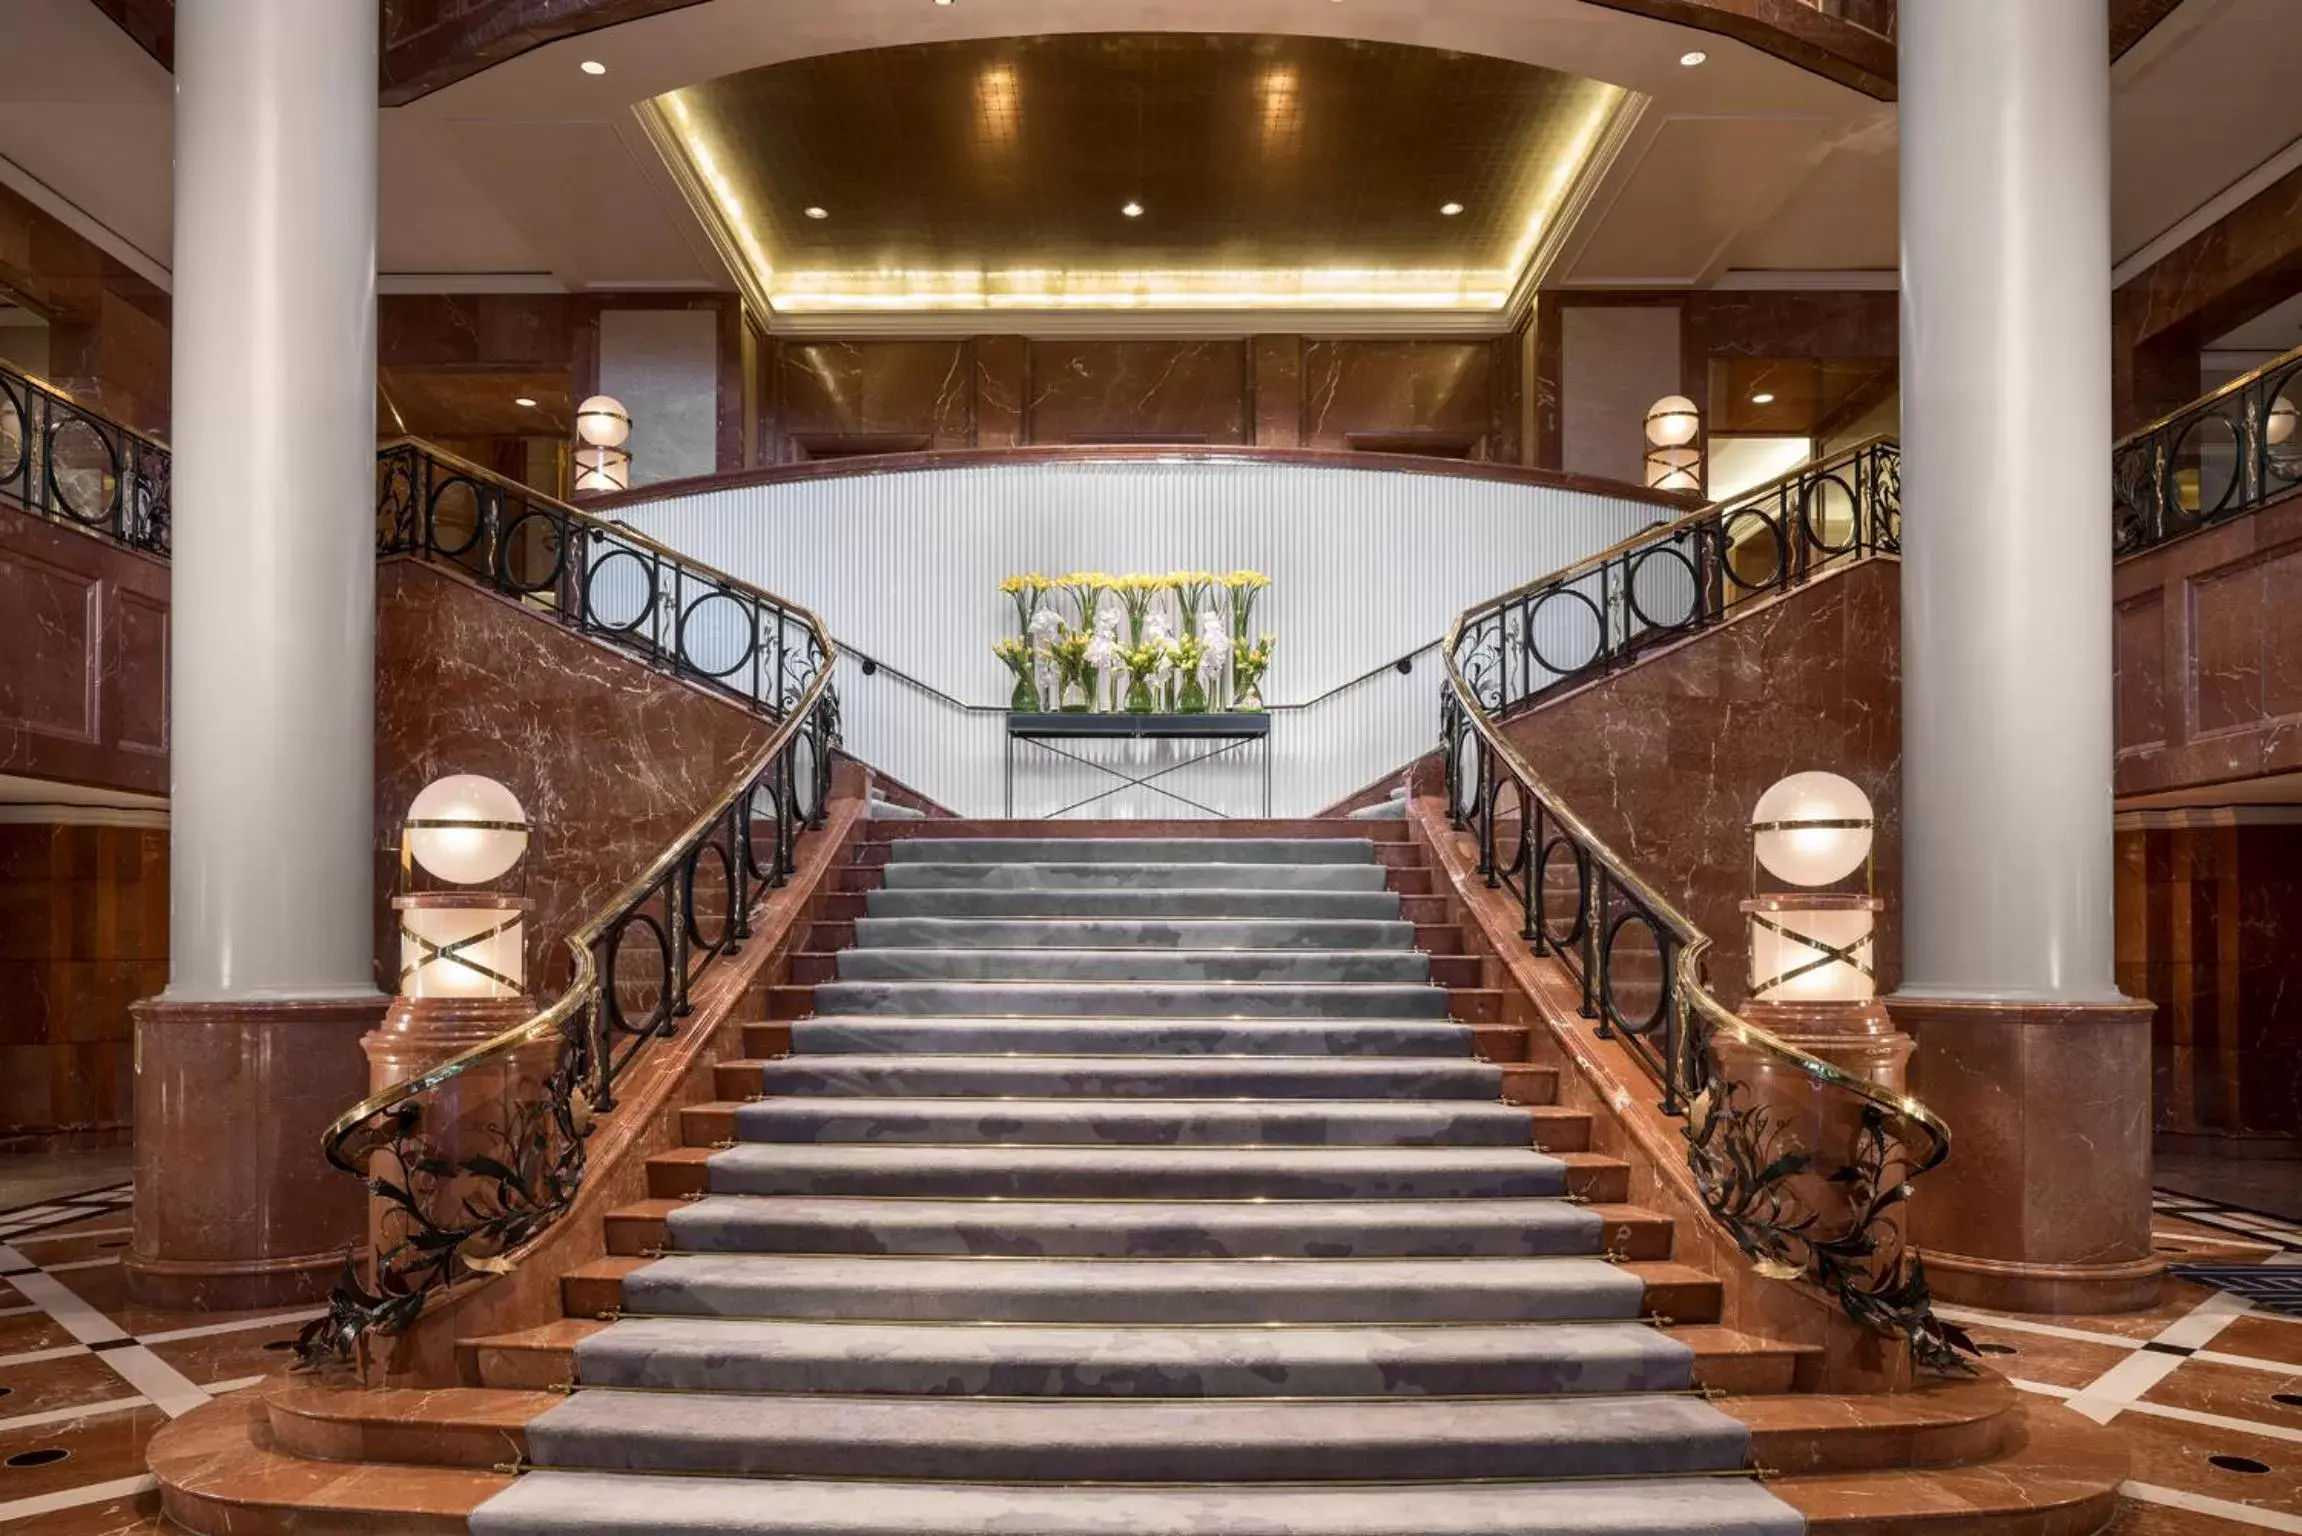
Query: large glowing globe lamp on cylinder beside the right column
{"points": [[1811, 945]]}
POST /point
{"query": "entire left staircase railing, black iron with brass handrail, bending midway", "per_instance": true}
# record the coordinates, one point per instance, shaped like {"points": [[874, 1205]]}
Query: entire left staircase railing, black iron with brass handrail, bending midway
{"points": [[487, 1150]]}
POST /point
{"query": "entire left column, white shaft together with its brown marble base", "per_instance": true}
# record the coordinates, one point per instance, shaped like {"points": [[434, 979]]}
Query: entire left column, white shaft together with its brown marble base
{"points": [[273, 660]]}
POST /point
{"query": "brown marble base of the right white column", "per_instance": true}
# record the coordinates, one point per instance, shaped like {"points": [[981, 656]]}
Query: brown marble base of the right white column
{"points": [[2045, 1201]]}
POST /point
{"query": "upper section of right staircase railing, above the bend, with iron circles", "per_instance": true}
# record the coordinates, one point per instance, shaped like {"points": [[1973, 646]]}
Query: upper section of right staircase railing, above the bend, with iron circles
{"points": [[1675, 579]]}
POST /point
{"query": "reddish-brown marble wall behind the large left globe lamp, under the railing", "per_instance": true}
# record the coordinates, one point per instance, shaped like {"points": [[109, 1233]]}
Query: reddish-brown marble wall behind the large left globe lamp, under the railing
{"points": [[609, 756]]}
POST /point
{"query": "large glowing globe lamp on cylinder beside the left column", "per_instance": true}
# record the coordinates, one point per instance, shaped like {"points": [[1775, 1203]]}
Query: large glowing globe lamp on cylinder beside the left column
{"points": [[471, 945]]}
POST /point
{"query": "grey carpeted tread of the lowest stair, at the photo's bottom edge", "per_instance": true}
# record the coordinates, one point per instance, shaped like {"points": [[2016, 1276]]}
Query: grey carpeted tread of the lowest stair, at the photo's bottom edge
{"points": [[625, 1505]]}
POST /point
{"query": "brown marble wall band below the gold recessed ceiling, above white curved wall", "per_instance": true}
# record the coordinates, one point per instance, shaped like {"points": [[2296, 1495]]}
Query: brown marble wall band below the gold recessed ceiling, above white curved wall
{"points": [[869, 395]]}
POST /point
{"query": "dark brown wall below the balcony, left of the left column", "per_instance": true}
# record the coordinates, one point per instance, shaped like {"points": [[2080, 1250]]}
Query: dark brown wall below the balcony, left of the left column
{"points": [[84, 934]]}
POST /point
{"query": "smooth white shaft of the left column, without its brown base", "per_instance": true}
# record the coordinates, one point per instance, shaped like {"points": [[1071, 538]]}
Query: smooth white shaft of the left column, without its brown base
{"points": [[275, 492]]}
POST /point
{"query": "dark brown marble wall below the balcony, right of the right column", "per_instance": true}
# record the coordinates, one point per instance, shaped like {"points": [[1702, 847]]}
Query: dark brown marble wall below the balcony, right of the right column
{"points": [[2209, 920]]}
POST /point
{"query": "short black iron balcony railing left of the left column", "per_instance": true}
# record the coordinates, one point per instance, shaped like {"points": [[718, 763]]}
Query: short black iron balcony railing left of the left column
{"points": [[66, 462]]}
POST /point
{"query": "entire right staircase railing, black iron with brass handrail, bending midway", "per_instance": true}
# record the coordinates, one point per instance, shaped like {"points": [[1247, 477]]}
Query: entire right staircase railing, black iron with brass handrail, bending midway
{"points": [[1755, 1109]]}
